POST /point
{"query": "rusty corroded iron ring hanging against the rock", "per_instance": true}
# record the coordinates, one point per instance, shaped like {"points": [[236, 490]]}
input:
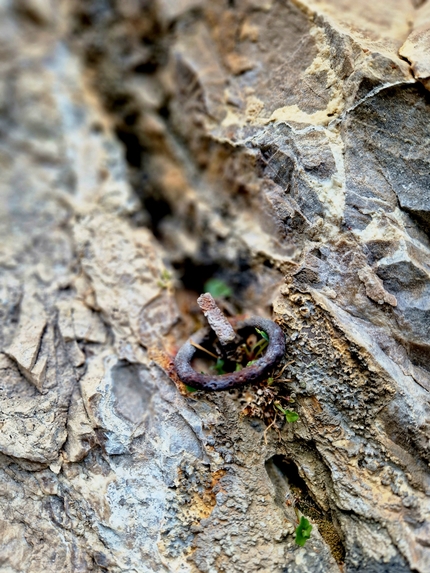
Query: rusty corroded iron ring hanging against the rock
{"points": [[257, 371]]}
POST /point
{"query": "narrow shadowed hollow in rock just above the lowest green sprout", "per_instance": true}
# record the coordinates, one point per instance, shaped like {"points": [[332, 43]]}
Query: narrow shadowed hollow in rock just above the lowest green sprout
{"points": [[291, 488]]}
